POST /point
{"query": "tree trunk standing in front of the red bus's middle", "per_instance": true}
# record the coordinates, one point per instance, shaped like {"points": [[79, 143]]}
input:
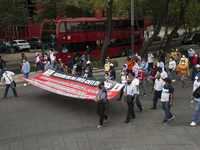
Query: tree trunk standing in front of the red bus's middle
{"points": [[108, 33]]}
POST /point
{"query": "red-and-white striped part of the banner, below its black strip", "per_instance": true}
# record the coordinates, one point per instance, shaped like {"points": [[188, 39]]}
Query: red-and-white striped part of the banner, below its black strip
{"points": [[67, 87]]}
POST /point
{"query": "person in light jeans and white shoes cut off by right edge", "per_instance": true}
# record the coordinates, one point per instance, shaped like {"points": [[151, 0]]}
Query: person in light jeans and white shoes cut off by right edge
{"points": [[197, 99]]}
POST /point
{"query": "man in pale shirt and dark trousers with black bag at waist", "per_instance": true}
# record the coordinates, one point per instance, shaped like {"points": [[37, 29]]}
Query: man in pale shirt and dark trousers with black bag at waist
{"points": [[130, 95]]}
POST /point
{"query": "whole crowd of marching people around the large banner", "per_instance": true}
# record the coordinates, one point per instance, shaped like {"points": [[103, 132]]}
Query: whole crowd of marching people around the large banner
{"points": [[135, 73]]}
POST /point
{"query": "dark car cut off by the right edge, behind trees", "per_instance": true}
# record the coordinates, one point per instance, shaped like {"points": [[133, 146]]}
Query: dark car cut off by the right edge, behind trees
{"points": [[191, 38]]}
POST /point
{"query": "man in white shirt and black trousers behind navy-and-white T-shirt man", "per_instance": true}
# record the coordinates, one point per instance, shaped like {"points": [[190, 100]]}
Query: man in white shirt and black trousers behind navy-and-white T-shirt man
{"points": [[157, 89]]}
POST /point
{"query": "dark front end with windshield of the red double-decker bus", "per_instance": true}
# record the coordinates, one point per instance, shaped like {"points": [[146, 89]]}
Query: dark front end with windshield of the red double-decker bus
{"points": [[49, 39]]}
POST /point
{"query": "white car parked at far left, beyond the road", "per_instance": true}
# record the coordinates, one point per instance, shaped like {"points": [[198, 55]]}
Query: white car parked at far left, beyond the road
{"points": [[19, 45]]}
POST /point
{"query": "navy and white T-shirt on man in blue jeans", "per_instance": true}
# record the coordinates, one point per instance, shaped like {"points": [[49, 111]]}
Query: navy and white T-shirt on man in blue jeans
{"points": [[167, 90]]}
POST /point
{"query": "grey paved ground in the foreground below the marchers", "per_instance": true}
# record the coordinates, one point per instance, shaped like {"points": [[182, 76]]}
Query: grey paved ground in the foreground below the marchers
{"points": [[40, 120]]}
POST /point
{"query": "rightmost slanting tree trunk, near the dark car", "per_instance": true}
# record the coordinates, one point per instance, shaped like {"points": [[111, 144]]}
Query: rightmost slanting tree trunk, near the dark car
{"points": [[174, 31]]}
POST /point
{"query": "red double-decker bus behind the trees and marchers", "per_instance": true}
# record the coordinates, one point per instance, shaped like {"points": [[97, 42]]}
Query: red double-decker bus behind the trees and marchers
{"points": [[70, 37]]}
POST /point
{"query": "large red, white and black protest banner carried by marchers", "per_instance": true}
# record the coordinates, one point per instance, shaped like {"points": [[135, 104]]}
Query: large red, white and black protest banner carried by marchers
{"points": [[73, 85]]}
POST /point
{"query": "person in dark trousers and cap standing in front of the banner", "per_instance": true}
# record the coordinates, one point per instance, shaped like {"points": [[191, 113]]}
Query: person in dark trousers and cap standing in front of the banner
{"points": [[101, 99]]}
